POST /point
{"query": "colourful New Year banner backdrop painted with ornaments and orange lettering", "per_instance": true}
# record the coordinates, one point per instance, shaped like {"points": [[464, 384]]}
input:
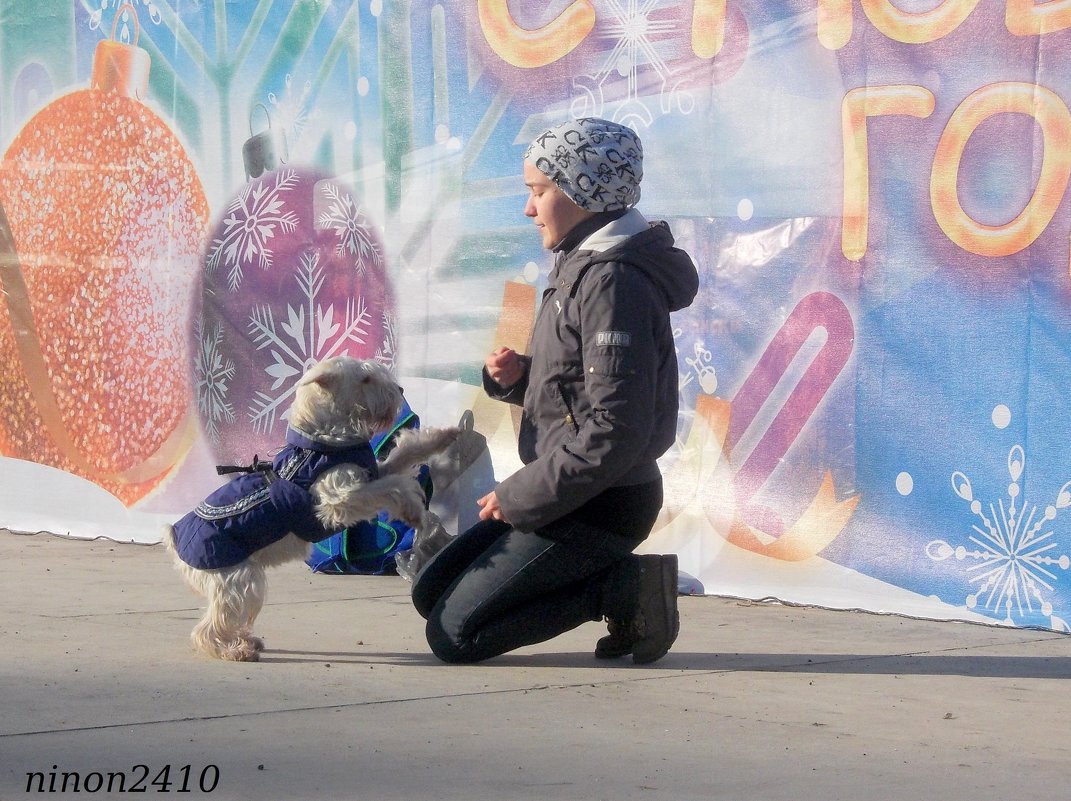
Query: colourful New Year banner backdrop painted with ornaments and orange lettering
{"points": [[202, 199]]}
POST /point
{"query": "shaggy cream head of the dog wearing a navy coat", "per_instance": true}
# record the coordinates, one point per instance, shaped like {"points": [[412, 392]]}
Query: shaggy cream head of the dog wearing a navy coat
{"points": [[343, 399]]}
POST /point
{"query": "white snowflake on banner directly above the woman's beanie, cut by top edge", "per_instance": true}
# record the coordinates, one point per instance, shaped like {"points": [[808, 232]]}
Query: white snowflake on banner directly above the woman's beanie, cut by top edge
{"points": [[635, 63]]}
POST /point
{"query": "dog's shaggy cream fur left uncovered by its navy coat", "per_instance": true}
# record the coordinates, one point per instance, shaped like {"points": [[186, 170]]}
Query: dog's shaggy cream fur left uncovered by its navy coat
{"points": [[337, 401]]}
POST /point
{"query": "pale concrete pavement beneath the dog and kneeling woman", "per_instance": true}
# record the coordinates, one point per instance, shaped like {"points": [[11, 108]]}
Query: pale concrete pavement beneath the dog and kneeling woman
{"points": [[756, 703]]}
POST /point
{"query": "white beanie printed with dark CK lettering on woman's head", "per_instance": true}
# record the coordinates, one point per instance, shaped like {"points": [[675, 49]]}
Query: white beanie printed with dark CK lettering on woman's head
{"points": [[597, 163]]}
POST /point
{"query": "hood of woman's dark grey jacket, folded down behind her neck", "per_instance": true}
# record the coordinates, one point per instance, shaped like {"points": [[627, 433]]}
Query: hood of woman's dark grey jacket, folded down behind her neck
{"points": [[648, 247]]}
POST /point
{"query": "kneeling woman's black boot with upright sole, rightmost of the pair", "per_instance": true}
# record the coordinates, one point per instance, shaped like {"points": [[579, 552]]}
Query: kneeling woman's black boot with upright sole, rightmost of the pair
{"points": [[657, 622]]}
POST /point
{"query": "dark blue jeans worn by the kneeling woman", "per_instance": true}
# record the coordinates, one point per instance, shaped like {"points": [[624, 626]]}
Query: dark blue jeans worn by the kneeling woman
{"points": [[495, 590]]}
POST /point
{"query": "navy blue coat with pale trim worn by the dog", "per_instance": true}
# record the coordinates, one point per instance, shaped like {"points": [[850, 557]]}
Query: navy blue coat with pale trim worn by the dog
{"points": [[254, 511]]}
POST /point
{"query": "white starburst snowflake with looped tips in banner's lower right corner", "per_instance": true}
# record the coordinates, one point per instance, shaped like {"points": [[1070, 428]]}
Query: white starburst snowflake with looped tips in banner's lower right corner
{"points": [[1015, 560]]}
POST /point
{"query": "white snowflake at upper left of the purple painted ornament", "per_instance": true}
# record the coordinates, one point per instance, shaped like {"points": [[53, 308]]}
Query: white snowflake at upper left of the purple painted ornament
{"points": [[251, 224]]}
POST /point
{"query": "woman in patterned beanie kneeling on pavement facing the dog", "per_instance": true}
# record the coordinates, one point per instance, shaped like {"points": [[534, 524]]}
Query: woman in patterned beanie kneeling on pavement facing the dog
{"points": [[599, 388]]}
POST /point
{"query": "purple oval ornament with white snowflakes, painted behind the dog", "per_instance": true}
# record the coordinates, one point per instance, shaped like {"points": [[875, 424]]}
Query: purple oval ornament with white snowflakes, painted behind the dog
{"points": [[294, 274]]}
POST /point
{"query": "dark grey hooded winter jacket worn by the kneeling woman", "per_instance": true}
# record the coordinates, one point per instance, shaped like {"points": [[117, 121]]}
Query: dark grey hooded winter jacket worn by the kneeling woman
{"points": [[600, 391]]}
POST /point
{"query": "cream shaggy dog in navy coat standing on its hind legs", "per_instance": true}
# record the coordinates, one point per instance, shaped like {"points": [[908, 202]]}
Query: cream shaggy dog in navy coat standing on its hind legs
{"points": [[326, 479]]}
